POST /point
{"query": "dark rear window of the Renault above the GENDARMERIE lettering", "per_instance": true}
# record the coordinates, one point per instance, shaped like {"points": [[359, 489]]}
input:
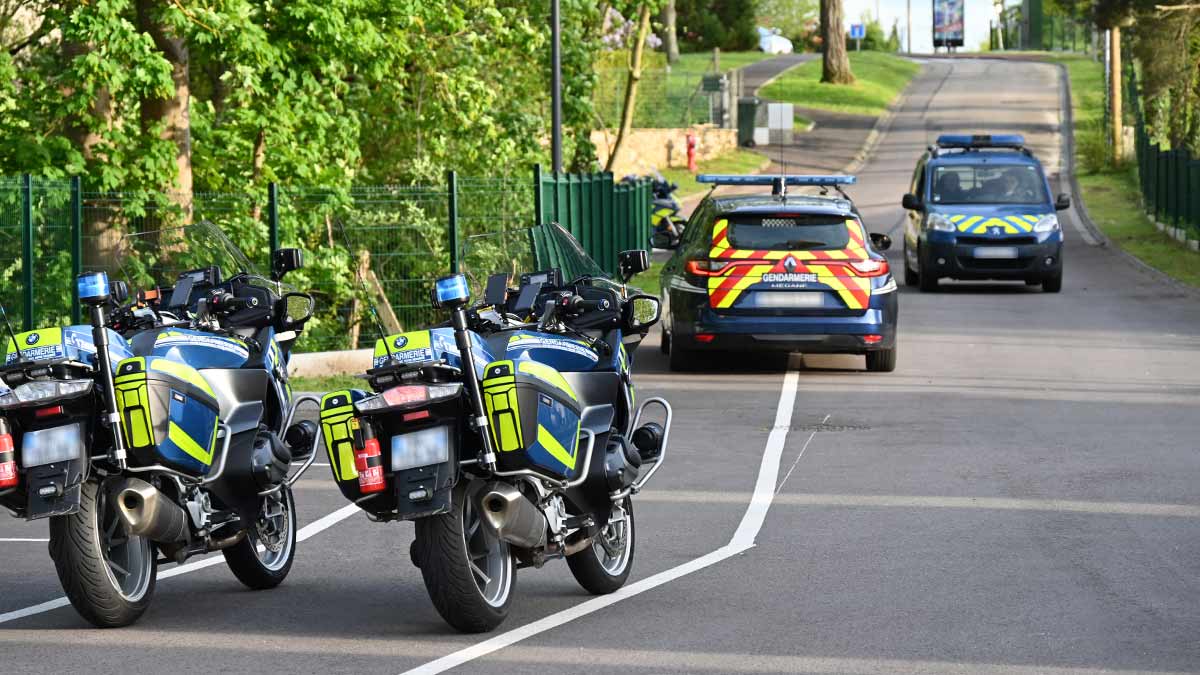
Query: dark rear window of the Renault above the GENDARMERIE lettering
{"points": [[789, 232]]}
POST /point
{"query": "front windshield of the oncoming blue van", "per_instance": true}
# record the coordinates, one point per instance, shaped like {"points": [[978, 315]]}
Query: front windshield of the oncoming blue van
{"points": [[988, 184]]}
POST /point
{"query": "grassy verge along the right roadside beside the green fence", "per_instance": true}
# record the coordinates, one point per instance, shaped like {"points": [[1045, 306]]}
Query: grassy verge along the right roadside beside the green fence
{"points": [[1113, 196]]}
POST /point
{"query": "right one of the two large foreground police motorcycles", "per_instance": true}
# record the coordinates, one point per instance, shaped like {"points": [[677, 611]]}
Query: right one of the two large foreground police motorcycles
{"points": [[511, 434]]}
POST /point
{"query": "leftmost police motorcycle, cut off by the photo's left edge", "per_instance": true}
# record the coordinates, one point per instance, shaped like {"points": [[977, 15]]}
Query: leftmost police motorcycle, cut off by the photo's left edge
{"points": [[166, 428]]}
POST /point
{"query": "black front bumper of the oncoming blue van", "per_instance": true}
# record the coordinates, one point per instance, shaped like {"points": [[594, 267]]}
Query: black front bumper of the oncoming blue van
{"points": [[1034, 262]]}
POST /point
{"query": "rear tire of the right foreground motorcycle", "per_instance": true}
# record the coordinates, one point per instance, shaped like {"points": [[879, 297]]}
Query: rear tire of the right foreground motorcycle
{"points": [[451, 549]]}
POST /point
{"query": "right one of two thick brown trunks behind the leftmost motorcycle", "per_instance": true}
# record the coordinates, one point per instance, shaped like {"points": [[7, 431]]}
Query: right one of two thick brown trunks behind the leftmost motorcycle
{"points": [[172, 112]]}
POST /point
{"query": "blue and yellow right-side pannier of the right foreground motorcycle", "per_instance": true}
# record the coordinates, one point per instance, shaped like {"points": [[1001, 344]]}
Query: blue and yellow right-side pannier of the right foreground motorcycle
{"points": [[535, 419]]}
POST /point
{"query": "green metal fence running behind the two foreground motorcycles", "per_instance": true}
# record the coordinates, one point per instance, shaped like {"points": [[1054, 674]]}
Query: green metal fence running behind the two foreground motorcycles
{"points": [[365, 247]]}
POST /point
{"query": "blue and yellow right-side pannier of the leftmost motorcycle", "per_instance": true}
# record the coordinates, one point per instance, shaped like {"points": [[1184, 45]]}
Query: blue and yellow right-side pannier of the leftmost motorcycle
{"points": [[169, 414]]}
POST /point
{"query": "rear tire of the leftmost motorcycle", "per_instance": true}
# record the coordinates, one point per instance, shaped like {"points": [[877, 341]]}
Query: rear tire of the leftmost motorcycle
{"points": [[109, 576]]}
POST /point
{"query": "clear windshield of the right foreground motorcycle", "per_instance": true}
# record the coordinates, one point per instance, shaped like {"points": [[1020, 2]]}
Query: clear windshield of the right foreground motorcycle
{"points": [[527, 250]]}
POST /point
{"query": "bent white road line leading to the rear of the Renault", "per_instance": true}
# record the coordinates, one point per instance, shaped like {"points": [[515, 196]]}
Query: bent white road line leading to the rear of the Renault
{"points": [[743, 540]]}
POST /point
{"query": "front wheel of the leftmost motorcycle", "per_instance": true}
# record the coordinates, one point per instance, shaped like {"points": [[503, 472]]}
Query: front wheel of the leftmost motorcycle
{"points": [[277, 531]]}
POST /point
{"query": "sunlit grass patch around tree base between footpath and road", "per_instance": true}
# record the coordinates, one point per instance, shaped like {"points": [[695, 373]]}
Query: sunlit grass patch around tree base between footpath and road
{"points": [[881, 79]]}
